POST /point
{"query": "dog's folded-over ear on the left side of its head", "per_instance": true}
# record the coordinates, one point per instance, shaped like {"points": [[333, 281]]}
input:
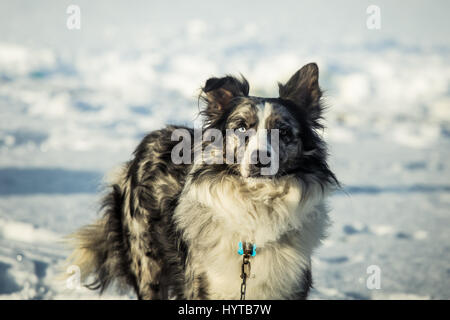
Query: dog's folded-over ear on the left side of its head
{"points": [[218, 92]]}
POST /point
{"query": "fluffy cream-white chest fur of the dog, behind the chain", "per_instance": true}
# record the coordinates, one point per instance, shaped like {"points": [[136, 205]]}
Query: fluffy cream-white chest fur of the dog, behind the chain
{"points": [[285, 221]]}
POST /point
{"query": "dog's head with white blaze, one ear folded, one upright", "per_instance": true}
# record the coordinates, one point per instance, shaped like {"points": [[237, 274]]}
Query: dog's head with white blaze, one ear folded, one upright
{"points": [[268, 136]]}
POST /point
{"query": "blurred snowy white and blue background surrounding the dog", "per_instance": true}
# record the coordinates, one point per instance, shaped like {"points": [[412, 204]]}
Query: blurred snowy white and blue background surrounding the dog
{"points": [[74, 103]]}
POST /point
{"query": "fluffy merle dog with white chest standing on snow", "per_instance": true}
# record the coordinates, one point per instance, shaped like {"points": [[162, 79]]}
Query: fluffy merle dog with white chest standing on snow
{"points": [[172, 230]]}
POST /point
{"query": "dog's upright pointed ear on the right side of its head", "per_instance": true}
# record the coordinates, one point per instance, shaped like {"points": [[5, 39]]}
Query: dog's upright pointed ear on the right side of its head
{"points": [[303, 87]]}
